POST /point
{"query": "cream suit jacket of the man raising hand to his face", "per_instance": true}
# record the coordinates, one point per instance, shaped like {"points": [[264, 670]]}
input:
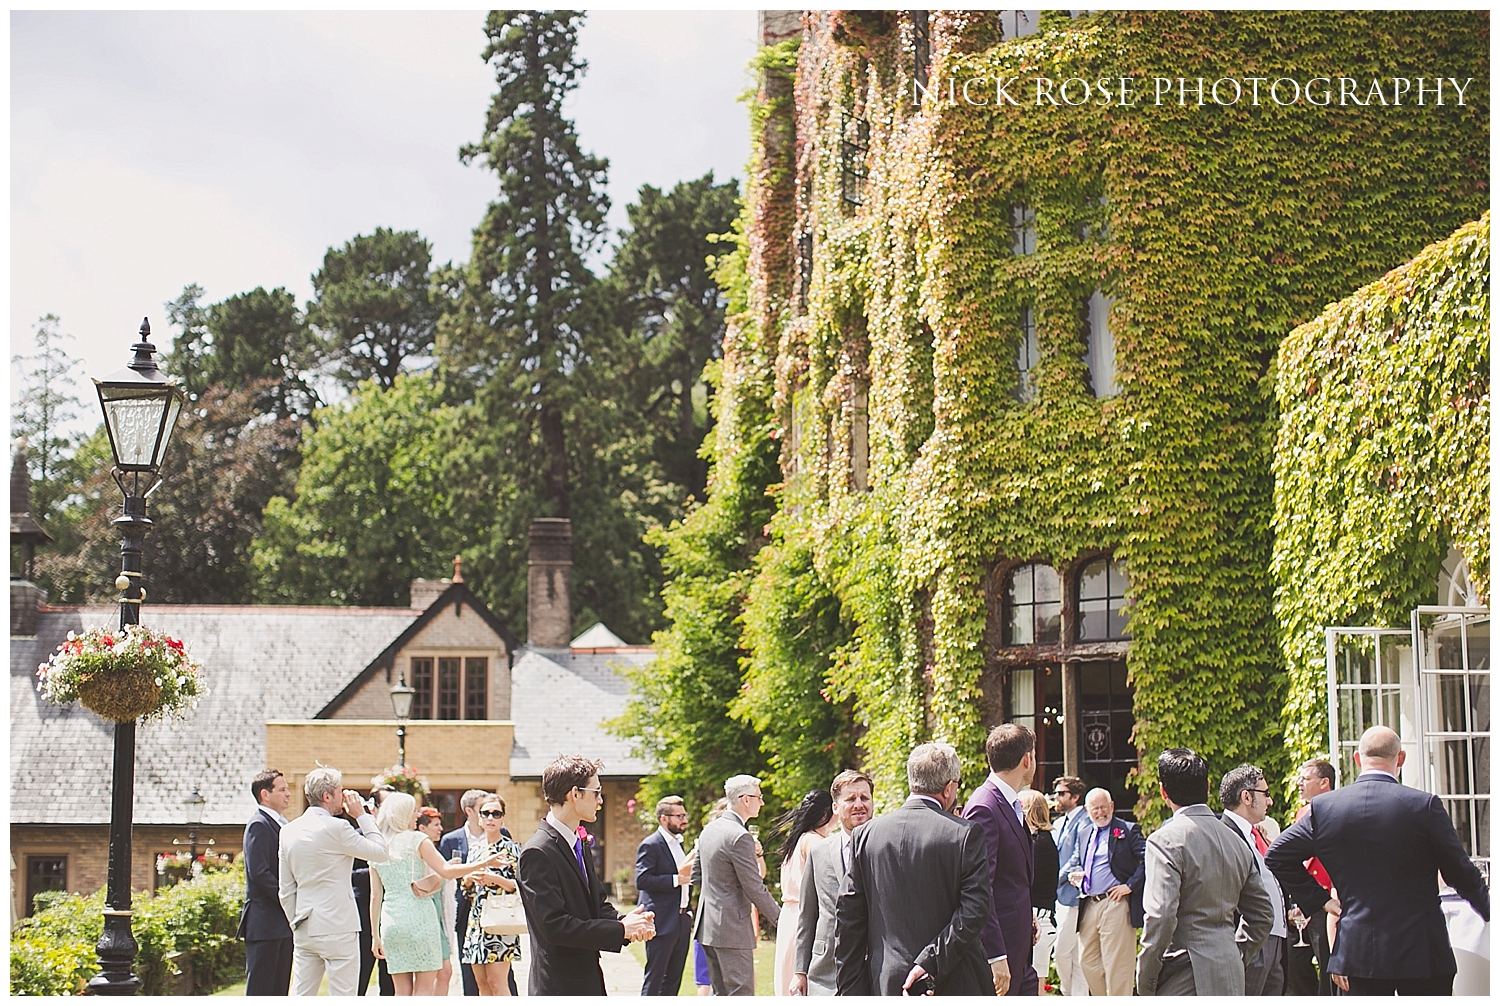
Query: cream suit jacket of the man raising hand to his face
{"points": [[317, 861]]}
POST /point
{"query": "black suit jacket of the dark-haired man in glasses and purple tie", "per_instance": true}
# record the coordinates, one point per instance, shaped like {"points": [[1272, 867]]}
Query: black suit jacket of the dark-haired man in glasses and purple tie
{"points": [[571, 921]]}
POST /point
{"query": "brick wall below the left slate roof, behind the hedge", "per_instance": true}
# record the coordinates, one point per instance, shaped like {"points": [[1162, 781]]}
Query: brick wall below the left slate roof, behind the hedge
{"points": [[88, 851]]}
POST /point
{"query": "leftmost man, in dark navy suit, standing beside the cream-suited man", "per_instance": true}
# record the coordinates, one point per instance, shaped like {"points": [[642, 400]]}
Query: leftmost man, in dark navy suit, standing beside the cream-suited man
{"points": [[263, 924]]}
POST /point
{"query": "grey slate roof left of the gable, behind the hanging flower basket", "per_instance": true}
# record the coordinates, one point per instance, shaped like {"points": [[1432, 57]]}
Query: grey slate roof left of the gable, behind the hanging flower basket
{"points": [[262, 662]]}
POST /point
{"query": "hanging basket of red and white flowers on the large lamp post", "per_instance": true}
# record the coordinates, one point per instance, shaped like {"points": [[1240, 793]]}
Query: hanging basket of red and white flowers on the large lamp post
{"points": [[124, 675]]}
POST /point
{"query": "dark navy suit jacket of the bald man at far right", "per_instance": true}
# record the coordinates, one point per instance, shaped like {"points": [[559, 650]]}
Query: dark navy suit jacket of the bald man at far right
{"points": [[1384, 845]]}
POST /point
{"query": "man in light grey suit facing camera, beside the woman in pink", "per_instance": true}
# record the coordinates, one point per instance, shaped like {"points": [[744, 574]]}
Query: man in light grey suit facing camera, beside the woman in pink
{"points": [[815, 972]]}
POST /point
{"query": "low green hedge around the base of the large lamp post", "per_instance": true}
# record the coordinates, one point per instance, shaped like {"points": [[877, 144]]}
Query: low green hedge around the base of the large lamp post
{"points": [[190, 926]]}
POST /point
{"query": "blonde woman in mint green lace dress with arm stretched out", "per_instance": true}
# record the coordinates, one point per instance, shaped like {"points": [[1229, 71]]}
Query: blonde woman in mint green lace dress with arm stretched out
{"points": [[407, 930]]}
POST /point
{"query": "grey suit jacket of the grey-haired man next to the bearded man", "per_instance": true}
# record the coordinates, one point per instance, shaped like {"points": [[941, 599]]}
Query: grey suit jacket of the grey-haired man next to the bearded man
{"points": [[730, 884]]}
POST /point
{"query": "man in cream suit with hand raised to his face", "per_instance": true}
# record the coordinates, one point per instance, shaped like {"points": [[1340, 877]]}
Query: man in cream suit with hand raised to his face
{"points": [[317, 857]]}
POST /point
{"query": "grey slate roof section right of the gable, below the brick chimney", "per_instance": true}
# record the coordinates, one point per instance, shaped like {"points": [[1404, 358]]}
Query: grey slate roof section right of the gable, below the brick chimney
{"points": [[560, 701]]}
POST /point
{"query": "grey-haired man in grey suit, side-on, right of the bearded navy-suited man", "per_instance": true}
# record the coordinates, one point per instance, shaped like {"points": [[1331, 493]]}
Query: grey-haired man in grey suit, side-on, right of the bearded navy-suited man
{"points": [[730, 878]]}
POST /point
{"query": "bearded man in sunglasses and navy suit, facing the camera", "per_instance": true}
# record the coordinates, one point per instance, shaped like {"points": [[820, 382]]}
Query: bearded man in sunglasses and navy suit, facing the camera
{"points": [[662, 878]]}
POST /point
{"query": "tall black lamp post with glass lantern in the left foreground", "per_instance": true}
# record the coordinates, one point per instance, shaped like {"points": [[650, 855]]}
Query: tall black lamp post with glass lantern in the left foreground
{"points": [[140, 412]]}
